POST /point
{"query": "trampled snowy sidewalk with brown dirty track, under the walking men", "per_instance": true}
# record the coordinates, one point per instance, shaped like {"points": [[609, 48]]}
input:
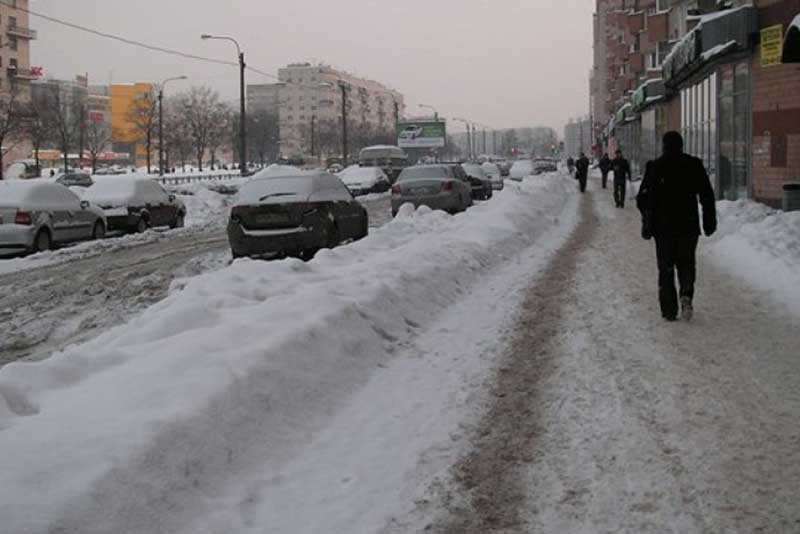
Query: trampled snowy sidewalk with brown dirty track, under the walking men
{"points": [[607, 419]]}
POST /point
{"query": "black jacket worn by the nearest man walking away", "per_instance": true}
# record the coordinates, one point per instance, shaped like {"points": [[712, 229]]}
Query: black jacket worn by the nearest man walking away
{"points": [[668, 197]]}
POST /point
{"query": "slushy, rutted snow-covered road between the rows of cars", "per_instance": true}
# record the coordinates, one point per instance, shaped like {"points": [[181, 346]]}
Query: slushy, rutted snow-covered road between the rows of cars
{"points": [[52, 300]]}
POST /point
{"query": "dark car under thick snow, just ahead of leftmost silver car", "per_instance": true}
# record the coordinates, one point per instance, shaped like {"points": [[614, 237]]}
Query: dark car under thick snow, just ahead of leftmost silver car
{"points": [[134, 204]]}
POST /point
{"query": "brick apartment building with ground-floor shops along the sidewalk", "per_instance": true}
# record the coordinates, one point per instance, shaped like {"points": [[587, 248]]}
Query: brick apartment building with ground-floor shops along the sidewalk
{"points": [[717, 72]]}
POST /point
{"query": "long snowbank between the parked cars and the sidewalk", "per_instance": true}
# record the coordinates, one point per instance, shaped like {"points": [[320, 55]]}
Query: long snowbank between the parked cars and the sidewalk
{"points": [[132, 430]]}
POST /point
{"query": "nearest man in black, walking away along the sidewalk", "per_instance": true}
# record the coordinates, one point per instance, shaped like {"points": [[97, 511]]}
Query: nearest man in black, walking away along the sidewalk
{"points": [[668, 198]]}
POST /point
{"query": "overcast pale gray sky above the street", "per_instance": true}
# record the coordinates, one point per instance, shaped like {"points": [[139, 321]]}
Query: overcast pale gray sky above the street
{"points": [[499, 62]]}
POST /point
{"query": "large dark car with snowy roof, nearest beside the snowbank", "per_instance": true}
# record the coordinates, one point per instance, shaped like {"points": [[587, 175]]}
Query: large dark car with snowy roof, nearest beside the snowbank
{"points": [[294, 215]]}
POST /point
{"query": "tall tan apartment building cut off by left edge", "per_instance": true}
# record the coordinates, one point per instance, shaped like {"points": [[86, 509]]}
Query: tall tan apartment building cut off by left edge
{"points": [[15, 60]]}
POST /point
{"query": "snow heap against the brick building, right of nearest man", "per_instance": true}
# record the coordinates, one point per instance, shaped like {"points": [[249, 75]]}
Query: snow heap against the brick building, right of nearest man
{"points": [[762, 246]]}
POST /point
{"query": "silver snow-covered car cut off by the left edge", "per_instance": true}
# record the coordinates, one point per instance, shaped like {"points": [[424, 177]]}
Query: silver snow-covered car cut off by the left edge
{"points": [[37, 214]]}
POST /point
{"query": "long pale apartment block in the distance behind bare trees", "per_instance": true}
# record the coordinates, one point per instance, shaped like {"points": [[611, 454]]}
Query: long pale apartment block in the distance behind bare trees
{"points": [[308, 100]]}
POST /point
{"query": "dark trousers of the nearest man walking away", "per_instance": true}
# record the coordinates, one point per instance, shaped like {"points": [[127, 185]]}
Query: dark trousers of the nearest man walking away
{"points": [[675, 252]]}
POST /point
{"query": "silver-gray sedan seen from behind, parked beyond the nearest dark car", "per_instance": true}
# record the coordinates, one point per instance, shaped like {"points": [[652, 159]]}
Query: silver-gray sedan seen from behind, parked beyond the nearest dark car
{"points": [[436, 186]]}
